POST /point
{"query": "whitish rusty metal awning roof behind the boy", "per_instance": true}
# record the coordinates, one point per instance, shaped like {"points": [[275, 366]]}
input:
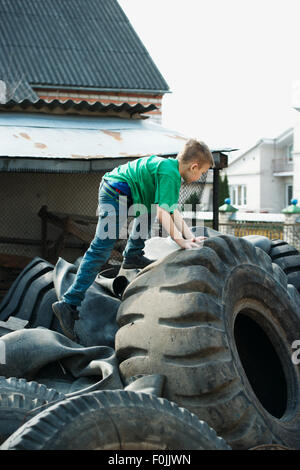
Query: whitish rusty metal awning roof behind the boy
{"points": [[38, 142]]}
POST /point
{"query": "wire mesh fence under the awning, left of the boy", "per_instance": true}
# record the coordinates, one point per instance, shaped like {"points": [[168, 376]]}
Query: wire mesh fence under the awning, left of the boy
{"points": [[23, 195]]}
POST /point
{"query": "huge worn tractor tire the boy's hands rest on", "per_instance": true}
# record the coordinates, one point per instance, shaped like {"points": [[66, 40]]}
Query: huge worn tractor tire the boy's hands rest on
{"points": [[219, 323]]}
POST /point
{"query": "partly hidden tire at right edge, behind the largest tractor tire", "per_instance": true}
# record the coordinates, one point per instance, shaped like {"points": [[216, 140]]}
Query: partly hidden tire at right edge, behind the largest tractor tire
{"points": [[288, 258]]}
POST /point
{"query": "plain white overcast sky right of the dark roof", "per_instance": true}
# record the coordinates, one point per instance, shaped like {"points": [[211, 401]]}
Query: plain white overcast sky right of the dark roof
{"points": [[230, 64]]}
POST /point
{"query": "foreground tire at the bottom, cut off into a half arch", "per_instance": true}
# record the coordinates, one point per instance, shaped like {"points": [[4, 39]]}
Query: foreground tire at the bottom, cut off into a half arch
{"points": [[115, 419]]}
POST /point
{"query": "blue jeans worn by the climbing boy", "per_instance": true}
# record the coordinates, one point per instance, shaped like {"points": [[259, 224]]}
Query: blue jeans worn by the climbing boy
{"points": [[112, 216]]}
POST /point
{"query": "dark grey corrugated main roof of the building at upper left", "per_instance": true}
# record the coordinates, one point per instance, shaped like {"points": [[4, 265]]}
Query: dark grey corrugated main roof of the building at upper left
{"points": [[76, 43]]}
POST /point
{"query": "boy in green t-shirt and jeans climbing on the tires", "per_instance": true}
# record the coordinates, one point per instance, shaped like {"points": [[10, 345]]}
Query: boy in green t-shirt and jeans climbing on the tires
{"points": [[144, 182]]}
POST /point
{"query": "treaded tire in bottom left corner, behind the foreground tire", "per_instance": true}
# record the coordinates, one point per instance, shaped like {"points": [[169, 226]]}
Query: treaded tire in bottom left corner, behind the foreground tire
{"points": [[21, 400]]}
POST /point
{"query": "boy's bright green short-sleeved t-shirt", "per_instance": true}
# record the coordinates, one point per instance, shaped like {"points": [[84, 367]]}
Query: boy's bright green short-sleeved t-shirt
{"points": [[152, 180]]}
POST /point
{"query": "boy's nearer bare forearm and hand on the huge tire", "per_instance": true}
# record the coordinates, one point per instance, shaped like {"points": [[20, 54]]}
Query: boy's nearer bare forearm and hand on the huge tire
{"points": [[168, 222]]}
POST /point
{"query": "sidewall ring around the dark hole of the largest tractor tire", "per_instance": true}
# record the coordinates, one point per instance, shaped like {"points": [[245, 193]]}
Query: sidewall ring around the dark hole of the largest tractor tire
{"points": [[280, 324]]}
